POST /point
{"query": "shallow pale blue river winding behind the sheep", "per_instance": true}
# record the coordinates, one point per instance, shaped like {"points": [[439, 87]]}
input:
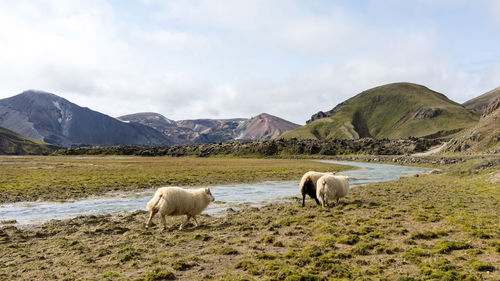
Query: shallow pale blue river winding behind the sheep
{"points": [[226, 196]]}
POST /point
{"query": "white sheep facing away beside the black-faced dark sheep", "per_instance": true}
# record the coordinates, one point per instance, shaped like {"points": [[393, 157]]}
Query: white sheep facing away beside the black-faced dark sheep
{"points": [[332, 188]]}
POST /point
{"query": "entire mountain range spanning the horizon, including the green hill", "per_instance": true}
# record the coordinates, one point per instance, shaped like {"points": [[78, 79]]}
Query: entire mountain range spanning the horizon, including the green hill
{"points": [[396, 110]]}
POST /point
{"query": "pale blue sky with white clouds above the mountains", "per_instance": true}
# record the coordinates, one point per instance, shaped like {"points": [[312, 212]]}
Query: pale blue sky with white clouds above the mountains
{"points": [[236, 58]]}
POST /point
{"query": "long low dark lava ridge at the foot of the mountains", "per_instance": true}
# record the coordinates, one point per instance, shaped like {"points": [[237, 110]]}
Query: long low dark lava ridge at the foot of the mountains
{"points": [[277, 147]]}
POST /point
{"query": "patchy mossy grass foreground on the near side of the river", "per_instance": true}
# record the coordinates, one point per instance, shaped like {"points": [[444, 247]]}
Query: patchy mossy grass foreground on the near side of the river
{"points": [[442, 226]]}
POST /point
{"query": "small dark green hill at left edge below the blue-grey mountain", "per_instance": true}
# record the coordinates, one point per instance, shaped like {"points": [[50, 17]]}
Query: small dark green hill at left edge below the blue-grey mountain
{"points": [[15, 144]]}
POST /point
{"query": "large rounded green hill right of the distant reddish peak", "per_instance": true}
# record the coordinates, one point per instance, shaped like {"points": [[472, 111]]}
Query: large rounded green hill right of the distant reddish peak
{"points": [[391, 111]]}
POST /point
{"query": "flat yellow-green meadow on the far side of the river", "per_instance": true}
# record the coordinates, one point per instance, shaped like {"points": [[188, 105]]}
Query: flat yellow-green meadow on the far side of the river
{"points": [[64, 177]]}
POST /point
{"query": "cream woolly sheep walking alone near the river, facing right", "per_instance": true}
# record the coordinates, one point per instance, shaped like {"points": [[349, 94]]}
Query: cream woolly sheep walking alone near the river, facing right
{"points": [[175, 201]]}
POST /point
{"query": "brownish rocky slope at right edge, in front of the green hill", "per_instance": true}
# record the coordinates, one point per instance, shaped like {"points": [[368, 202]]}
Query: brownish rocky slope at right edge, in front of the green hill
{"points": [[484, 137]]}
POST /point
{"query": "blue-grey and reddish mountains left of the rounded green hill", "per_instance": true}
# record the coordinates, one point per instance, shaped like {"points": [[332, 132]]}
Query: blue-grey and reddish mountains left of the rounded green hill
{"points": [[52, 119]]}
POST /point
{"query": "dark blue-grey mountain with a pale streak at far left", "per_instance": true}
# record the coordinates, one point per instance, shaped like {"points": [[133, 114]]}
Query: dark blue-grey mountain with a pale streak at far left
{"points": [[46, 117]]}
